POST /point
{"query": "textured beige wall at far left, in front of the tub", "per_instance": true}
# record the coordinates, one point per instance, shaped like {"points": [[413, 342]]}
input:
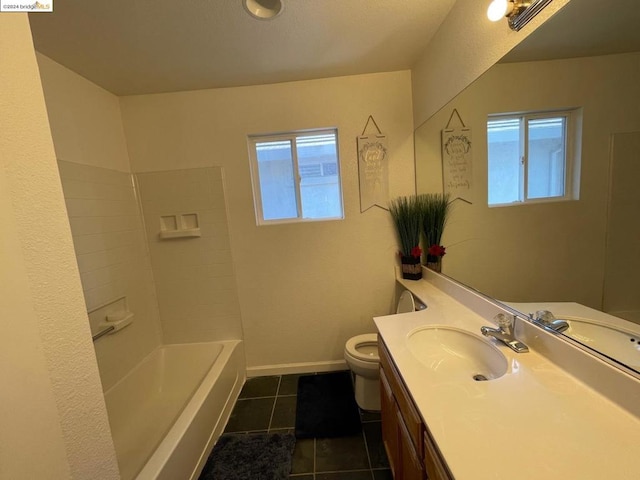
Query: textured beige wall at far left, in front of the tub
{"points": [[54, 420]]}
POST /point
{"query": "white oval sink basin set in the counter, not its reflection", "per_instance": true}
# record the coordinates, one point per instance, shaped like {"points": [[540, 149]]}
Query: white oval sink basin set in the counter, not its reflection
{"points": [[456, 353]]}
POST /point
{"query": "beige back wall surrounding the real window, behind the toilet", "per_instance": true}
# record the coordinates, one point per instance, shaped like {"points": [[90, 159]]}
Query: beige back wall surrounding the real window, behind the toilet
{"points": [[304, 288]]}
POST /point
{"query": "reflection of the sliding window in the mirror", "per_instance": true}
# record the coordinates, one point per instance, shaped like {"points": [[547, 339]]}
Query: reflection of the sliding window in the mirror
{"points": [[530, 157]]}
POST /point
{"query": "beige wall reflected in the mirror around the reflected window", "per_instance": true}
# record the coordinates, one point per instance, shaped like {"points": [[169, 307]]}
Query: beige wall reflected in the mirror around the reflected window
{"points": [[558, 247]]}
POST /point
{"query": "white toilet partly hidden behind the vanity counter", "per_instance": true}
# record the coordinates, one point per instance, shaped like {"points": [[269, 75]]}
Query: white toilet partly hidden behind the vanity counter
{"points": [[361, 354]]}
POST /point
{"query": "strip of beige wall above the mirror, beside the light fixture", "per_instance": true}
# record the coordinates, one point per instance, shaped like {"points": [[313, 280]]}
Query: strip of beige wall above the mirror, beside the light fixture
{"points": [[465, 46]]}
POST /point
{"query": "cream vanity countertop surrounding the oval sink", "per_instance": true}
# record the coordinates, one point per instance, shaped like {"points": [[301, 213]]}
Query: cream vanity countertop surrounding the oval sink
{"points": [[535, 422]]}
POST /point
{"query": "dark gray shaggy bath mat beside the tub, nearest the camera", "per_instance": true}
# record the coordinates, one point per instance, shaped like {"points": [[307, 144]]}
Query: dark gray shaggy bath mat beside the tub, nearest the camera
{"points": [[250, 456]]}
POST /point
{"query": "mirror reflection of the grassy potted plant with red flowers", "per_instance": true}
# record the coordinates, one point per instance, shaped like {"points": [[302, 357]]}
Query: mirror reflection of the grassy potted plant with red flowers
{"points": [[435, 208]]}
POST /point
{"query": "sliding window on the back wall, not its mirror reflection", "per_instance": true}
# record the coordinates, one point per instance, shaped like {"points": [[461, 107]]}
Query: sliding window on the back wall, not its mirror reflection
{"points": [[296, 176]]}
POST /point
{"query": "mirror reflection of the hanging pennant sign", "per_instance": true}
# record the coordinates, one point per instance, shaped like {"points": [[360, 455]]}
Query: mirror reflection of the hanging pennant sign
{"points": [[457, 173]]}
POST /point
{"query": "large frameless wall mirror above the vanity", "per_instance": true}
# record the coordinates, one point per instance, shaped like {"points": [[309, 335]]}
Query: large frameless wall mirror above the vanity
{"points": [[578, 258]]}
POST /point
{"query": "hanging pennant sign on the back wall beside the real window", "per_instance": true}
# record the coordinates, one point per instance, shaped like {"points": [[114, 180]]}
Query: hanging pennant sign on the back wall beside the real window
{"points": [[373, 171]]}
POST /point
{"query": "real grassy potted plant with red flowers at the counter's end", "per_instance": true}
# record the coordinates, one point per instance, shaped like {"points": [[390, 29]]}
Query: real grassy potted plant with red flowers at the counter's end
{"points": [[407, 218]]}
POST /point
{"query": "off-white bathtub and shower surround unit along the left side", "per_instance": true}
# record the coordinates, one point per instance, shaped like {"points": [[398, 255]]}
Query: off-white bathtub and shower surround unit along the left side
{"points": [[181, 292]]}
